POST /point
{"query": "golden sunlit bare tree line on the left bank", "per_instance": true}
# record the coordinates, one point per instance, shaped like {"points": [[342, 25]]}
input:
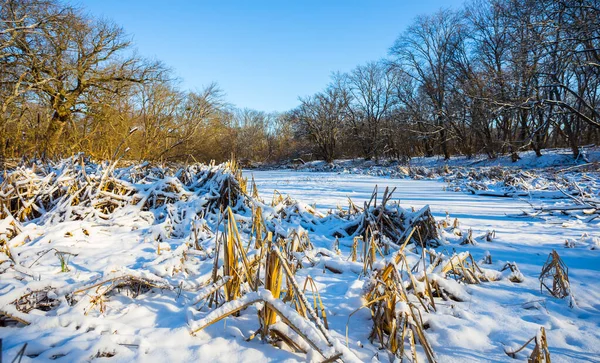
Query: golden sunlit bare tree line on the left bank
{"points": [[72, 83]]}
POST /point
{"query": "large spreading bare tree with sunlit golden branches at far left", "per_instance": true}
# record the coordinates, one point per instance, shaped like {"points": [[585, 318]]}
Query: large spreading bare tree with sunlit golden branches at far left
{"points": [[73, 56]]}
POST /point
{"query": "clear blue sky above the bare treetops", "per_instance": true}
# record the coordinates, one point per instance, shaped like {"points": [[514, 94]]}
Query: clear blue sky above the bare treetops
{"points": [[263, 54]]}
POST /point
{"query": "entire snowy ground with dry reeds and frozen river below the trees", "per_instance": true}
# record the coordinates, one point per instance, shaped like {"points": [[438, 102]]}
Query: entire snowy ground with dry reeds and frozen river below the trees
{"points": [[211, 263]]}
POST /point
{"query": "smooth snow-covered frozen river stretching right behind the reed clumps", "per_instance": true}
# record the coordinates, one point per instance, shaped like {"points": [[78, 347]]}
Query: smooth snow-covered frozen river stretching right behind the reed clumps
{"points": [[482, 213]]}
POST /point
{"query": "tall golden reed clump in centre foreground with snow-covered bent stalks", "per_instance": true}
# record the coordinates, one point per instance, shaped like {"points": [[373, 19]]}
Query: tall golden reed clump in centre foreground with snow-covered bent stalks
{"points": [[239, 275]]}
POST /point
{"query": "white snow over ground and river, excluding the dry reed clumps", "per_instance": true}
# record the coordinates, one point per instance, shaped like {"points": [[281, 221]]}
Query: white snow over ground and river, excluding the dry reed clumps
{"points": [[89, 312]]}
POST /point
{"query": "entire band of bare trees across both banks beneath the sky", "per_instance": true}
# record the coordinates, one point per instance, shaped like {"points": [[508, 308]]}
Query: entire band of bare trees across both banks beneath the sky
{"points": [[496, 77]]}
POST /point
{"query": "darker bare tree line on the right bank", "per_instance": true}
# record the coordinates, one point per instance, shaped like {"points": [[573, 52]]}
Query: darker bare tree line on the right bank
{"points": [[496, 77]]}
